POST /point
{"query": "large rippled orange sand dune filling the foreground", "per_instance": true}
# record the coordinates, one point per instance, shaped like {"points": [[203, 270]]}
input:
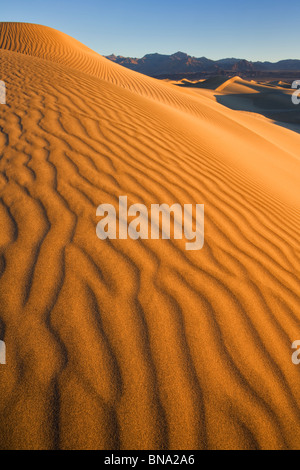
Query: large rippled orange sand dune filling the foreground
{"points": [[124, 344]]}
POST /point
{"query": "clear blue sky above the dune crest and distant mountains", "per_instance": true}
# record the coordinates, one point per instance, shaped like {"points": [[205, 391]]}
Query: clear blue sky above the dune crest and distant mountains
{"points": [[253, 29]]}
